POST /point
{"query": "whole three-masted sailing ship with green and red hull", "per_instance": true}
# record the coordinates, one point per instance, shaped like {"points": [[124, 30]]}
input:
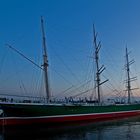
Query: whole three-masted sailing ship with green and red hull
{"points": [[53, 113]]}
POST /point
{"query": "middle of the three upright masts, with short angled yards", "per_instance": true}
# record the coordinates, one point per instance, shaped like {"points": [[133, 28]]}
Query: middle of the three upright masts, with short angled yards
{"points": [[99, 70]]}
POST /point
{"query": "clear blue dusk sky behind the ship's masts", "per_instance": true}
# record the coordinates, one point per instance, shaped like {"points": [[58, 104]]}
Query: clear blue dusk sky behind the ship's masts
{"points": [[68, 25]]}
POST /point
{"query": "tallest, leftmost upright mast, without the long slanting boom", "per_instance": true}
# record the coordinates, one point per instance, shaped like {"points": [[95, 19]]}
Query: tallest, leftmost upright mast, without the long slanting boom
{"points": [[45, 61]]}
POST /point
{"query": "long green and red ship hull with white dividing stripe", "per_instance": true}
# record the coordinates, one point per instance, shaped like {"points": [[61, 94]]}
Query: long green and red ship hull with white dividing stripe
{"points": [[32, 114]]}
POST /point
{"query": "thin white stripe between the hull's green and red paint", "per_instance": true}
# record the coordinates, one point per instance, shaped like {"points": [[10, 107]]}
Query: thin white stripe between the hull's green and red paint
{"points": [[72, 115]]}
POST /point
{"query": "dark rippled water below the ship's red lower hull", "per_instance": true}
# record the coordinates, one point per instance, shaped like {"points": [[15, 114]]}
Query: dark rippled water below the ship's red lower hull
{"points": [[124, 129]]}
